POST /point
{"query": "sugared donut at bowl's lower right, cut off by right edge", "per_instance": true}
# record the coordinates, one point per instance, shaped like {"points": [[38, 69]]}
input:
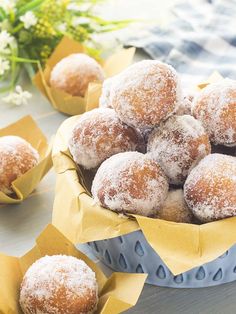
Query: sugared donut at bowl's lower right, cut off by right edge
{"points": [[210, 189]]}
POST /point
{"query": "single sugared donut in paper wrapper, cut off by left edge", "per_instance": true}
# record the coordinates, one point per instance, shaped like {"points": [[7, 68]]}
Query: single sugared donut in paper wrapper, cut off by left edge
{"points": [[17, 157]]}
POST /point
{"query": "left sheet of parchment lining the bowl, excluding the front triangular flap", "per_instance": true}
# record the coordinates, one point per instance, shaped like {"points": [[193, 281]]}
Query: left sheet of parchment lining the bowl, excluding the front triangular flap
{"points": [[74, 212]]}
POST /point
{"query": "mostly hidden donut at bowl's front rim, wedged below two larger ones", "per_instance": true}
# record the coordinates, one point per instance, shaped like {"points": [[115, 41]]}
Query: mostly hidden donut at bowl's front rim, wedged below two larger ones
{"points": [[175, 208]]}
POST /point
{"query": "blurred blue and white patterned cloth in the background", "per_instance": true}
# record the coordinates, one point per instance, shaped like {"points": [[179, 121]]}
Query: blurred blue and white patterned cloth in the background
{"points": [[200, 39]]}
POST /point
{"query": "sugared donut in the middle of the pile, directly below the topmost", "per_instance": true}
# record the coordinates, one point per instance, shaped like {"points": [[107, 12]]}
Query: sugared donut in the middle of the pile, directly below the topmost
{"points": [[178, 144]]}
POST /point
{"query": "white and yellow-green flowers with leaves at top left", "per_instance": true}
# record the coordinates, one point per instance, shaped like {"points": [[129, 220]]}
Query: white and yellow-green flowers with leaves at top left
{"points": [[30, 31]]}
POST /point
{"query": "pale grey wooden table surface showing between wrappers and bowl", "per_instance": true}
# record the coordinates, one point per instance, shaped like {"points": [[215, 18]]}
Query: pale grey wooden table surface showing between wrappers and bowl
{"points": [[20, 224]]}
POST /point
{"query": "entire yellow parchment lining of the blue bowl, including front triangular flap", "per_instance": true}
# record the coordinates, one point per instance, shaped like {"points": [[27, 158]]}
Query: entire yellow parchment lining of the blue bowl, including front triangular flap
{"points": [[181, 246]]}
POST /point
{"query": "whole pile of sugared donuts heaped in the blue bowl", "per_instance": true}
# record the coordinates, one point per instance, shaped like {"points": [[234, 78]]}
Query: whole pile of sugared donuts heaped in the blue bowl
{"points": [[156, 152]]}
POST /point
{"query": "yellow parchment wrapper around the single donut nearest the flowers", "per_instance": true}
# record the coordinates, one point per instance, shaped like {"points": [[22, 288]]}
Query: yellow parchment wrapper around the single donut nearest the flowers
{"points": [[74, 105]]}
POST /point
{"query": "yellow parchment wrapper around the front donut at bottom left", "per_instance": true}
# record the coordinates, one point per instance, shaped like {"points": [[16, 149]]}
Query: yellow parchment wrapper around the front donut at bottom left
{"points": [[116, 294]]}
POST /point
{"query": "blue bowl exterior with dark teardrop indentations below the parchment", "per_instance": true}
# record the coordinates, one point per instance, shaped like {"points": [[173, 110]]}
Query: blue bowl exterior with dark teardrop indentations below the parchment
{"points": [[132, 253]]}
